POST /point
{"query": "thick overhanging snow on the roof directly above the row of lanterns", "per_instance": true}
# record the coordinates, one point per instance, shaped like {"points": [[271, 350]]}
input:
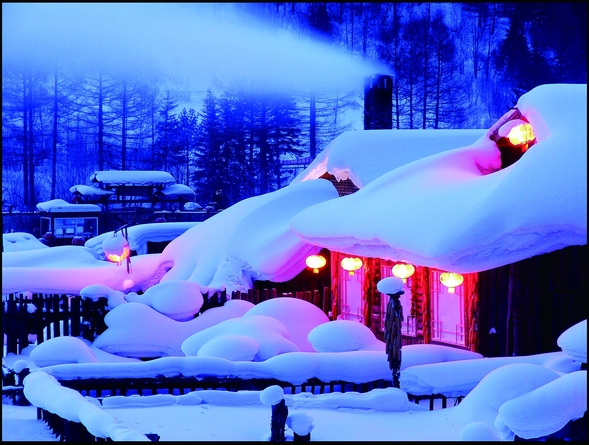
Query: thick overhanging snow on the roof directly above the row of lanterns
{"points": [[448, 211]]}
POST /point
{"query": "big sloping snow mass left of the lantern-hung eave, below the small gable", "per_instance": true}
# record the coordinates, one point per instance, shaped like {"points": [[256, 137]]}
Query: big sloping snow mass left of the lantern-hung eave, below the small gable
{"points": [[250, 240]]}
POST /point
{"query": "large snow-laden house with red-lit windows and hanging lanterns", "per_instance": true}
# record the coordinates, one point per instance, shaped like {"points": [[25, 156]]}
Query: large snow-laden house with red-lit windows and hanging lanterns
{"points": [[469, 202]]}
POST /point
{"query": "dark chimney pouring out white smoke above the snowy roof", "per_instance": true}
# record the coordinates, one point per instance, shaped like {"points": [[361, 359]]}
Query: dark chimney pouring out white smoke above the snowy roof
{"points": [[378, 102]]}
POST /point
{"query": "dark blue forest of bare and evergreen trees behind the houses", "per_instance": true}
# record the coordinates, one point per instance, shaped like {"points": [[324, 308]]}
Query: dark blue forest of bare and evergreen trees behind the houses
{"points": [[455, 65]]}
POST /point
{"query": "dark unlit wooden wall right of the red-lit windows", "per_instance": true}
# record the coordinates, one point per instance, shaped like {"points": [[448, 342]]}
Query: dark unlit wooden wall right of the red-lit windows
{"points": [[530, 303]]}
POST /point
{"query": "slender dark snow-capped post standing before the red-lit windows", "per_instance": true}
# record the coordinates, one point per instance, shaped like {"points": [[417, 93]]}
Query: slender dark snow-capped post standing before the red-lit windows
{"points": [[393, 287]]}
